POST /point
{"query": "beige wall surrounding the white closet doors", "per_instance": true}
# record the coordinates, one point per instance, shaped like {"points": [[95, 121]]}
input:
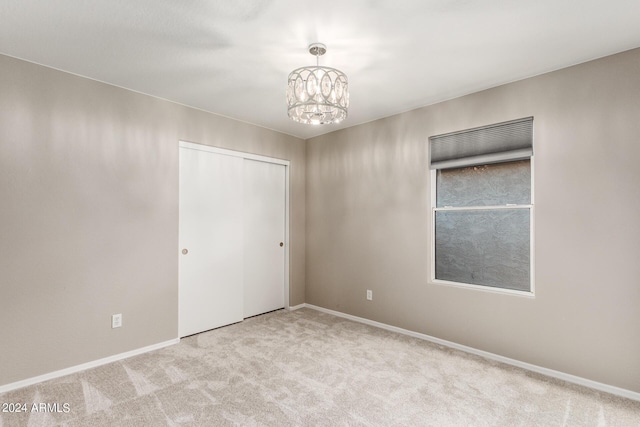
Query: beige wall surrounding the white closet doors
{"points": [[89, 215]]}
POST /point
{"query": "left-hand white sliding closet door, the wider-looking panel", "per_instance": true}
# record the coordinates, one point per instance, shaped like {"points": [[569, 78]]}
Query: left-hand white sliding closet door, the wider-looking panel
{"points": [[211, 231]]}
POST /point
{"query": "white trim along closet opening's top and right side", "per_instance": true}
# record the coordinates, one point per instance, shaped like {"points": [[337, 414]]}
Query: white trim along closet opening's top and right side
{"points": [[250, 156]]}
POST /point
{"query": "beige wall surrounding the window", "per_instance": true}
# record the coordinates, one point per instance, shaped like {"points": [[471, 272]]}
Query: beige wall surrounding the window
{"points": [[368, 223]]}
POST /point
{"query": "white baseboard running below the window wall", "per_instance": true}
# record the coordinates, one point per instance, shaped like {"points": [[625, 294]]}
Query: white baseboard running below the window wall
{"points": [[544, 371]]}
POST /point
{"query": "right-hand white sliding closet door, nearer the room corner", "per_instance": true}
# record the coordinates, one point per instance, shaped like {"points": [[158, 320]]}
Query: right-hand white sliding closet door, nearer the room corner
{"points": [[264, 232]]}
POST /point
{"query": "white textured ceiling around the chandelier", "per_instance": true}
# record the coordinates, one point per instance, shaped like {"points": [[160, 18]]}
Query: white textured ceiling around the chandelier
{"points": [[233, 57]]}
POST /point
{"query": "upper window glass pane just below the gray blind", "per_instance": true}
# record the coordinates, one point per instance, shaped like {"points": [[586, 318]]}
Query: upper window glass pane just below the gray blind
{"points": [[489, 185]]}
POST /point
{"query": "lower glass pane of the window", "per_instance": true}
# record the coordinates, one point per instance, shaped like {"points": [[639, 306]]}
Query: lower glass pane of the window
{"points": [[484, 247]]}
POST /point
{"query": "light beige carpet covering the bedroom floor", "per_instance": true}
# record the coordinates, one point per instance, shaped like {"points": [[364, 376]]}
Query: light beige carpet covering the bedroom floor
{"points": [[309, 368]]}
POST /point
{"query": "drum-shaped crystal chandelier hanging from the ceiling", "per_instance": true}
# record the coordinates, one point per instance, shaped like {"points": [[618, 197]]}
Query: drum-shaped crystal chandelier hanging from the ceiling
{"points": [[317, 95]]}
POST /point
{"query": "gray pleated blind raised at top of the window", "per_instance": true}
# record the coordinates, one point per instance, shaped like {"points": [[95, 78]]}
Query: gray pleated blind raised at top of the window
{"points": [[500, 142]]}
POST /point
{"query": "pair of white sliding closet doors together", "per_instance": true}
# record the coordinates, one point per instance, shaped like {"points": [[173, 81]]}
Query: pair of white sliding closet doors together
{"points": [[232, 236]]}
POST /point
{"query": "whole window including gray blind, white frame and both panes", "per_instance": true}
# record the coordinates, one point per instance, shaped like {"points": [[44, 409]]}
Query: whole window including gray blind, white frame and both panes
{"points": [[483, 207]]}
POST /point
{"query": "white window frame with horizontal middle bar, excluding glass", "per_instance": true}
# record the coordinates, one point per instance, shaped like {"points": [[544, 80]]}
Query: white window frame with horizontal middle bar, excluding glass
{"points": [[485, 288]]}
